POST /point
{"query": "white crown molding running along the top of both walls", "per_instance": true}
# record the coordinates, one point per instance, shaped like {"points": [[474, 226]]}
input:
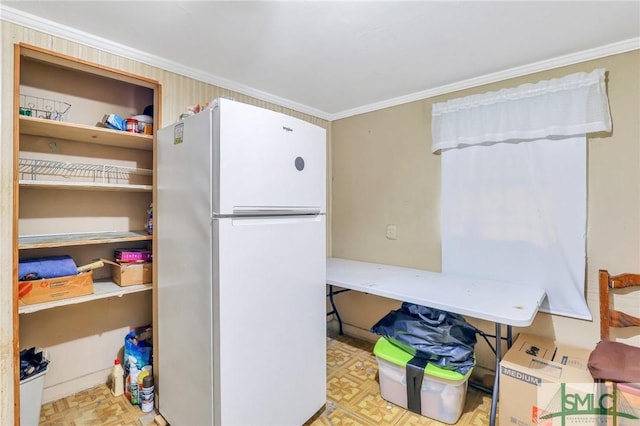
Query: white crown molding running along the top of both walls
{"points": [[90, 40]]}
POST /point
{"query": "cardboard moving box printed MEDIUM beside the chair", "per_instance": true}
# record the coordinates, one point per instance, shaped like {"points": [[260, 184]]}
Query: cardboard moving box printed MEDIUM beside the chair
{"points": [[544, 382]]}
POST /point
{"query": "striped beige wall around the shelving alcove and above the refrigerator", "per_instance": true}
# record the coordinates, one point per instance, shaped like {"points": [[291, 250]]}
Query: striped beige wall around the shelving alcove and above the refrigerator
{"points": [[178, 92]]}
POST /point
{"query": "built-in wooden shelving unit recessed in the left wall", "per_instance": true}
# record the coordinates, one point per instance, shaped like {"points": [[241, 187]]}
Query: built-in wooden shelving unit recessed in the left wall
{"points": [[72, 180]]}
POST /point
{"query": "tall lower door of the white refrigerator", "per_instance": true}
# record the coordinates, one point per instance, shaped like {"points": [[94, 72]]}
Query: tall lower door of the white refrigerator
{"points": [[269, 320]]}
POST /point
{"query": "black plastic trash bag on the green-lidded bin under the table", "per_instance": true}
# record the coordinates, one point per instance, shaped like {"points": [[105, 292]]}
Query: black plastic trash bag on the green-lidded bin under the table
{"points": [[442, 338]]}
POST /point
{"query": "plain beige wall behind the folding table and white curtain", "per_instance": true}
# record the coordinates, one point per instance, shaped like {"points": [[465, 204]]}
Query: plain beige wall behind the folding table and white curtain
{"points": [[384, 173]]}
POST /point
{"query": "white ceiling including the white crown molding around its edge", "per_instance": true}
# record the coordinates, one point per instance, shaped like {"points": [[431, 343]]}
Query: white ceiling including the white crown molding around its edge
{"points": [[336, 59]]}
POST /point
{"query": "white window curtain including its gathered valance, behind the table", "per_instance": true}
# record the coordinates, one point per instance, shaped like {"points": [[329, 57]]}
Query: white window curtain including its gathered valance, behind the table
{"points": [[514, 182]]}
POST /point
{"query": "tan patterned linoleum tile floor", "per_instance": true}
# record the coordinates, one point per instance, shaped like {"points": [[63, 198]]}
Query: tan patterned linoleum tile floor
{"points": [[353, 398]]}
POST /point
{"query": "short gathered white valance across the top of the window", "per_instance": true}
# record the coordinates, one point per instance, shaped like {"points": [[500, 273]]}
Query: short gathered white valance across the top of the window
{"points": [[573, 105]]}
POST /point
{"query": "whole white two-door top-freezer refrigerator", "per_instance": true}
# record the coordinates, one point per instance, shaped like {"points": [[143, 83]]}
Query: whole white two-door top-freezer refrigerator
{"points": [[240, 231]]}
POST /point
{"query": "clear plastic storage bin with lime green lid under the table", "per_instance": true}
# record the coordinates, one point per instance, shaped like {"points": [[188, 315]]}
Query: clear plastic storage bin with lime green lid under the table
{"points": [[442, 394]]}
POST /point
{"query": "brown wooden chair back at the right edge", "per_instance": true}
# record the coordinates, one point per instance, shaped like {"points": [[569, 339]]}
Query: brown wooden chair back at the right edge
{"points": [[609, 316]]}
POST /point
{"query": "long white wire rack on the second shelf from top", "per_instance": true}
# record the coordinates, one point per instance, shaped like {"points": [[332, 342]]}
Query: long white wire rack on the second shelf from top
{"points": [[34, 169]]}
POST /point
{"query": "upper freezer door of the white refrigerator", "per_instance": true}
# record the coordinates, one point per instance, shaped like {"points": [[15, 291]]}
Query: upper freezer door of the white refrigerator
{"points": [[266, 159]]}
